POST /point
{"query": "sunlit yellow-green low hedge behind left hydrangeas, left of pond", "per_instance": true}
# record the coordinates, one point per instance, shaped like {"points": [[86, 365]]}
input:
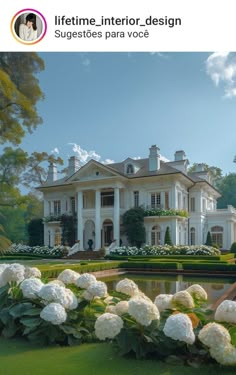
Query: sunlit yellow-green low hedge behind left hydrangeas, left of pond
{"points": [[52, 271]]}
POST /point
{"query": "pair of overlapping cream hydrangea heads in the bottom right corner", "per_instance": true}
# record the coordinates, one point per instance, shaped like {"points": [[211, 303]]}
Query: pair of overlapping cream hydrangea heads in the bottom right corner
{"points": [[218, 340]]}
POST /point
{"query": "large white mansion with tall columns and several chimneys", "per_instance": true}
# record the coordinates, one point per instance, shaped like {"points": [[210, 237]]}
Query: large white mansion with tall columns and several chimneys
{"points": [[98, 195]]}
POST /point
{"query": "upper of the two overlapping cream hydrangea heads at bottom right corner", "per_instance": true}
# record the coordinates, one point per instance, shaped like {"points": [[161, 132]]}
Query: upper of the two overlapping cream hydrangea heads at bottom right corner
{"points": [[214, 334]]}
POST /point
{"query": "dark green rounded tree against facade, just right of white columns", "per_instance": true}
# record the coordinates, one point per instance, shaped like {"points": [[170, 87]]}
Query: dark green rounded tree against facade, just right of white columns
{"points": [[133, 221]]}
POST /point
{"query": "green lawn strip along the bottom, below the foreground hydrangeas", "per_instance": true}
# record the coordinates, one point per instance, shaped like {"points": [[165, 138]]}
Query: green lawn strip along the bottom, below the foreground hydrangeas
{"points": [[21, 358]]}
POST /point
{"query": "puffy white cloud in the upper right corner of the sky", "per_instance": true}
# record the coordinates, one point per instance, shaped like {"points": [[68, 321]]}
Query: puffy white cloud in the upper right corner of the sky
{"points": [[221, 67]]}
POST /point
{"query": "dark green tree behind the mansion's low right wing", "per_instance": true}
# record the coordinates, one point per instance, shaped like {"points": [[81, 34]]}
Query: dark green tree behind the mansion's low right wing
{"points": [[227, 188]]}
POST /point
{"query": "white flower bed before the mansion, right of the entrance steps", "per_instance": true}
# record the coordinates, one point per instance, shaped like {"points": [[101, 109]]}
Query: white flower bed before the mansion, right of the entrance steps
{"points": [[165, 250]]}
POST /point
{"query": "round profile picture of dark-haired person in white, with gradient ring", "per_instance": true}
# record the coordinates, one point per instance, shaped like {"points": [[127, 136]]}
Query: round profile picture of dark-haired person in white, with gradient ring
{"points": [[28, 26]]}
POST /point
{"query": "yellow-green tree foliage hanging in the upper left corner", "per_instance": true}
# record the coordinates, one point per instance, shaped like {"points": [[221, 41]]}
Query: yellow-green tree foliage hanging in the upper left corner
{"points": [[19, 93]]}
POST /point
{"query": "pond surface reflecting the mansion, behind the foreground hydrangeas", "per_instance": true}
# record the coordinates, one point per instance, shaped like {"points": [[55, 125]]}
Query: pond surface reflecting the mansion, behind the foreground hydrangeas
{"points": [[154, 285]]}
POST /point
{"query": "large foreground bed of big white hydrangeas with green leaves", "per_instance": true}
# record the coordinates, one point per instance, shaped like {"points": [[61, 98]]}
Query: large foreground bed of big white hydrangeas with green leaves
{"points": [[76, 308]]}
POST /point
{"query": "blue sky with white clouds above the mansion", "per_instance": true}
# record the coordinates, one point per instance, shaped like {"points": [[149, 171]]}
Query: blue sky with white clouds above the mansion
{"points": [[113, 105]]}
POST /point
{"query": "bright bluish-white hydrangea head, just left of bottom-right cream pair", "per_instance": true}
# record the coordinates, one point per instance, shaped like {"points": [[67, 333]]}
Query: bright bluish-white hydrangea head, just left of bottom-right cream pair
{"points": [[179, 327]]}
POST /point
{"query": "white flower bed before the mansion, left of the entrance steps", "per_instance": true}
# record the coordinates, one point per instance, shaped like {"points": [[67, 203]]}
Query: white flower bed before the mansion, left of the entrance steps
{"points": [[56, 251]]}
